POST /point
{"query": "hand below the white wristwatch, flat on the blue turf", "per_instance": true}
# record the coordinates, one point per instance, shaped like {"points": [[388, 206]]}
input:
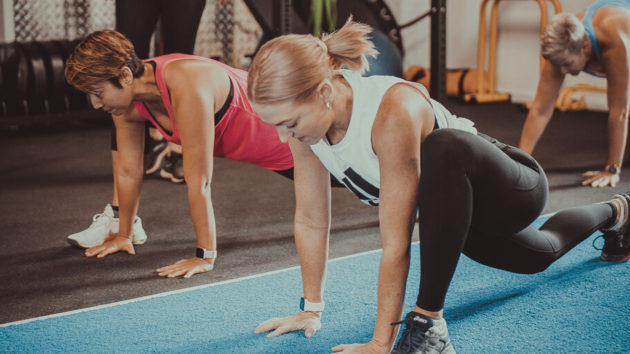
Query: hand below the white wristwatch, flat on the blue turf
{"points": [[308, 321]]}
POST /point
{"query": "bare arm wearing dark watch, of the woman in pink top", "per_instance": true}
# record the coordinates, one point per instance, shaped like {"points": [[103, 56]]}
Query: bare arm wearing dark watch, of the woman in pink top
{"points": [[193, 90]]}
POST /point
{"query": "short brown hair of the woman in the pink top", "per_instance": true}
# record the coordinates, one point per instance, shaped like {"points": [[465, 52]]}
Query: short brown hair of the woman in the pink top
{"points": [[99, 57]]}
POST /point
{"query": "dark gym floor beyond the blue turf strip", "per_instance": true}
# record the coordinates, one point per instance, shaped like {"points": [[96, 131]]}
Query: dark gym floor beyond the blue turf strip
{"points": [[54, 178]]}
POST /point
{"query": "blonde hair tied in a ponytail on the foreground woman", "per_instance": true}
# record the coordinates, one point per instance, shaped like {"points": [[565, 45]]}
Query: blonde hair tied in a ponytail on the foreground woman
{"points": [[291, 67]]}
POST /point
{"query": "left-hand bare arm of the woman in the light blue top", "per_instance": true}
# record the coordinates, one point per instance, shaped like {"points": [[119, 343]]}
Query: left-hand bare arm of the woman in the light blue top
{"points": [[542, 108]]}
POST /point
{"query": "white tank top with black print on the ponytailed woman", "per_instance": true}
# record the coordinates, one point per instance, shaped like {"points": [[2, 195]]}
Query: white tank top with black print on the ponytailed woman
{"points": [[353, 161]]}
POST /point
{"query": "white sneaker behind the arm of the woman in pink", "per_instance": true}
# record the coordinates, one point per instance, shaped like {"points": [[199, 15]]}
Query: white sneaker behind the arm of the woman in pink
{"points": [[102, 226]]}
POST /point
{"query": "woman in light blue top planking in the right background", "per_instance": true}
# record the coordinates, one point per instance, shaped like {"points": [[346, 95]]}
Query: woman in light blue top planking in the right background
{"points": [[594, 41]]}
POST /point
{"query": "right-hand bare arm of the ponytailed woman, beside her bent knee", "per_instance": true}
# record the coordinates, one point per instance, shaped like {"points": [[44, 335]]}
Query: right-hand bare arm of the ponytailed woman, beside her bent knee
{"points": [[396, 137]]}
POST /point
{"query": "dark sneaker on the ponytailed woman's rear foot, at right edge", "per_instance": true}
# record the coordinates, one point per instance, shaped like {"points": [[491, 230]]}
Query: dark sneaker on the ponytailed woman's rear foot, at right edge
{"points": [[617, 238]]}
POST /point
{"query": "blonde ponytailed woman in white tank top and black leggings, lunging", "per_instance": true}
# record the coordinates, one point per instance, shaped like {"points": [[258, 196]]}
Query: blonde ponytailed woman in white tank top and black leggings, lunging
{"points": [[394, 147]]}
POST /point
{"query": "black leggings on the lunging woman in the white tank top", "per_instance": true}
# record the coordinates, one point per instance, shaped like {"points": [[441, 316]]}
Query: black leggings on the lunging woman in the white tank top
{"points": [[478, 196]]}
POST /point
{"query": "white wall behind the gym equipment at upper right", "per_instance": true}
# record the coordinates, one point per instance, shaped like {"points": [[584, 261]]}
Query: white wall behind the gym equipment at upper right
{"points": [[518, 45]]}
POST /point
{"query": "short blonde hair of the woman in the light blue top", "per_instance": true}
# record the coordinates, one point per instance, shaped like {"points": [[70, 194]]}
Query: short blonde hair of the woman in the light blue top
{"points": [[563, 36]]}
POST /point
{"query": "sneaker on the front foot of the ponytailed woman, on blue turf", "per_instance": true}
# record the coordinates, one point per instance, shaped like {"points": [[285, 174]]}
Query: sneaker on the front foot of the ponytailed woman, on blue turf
{"points": [[423, 334]]}
